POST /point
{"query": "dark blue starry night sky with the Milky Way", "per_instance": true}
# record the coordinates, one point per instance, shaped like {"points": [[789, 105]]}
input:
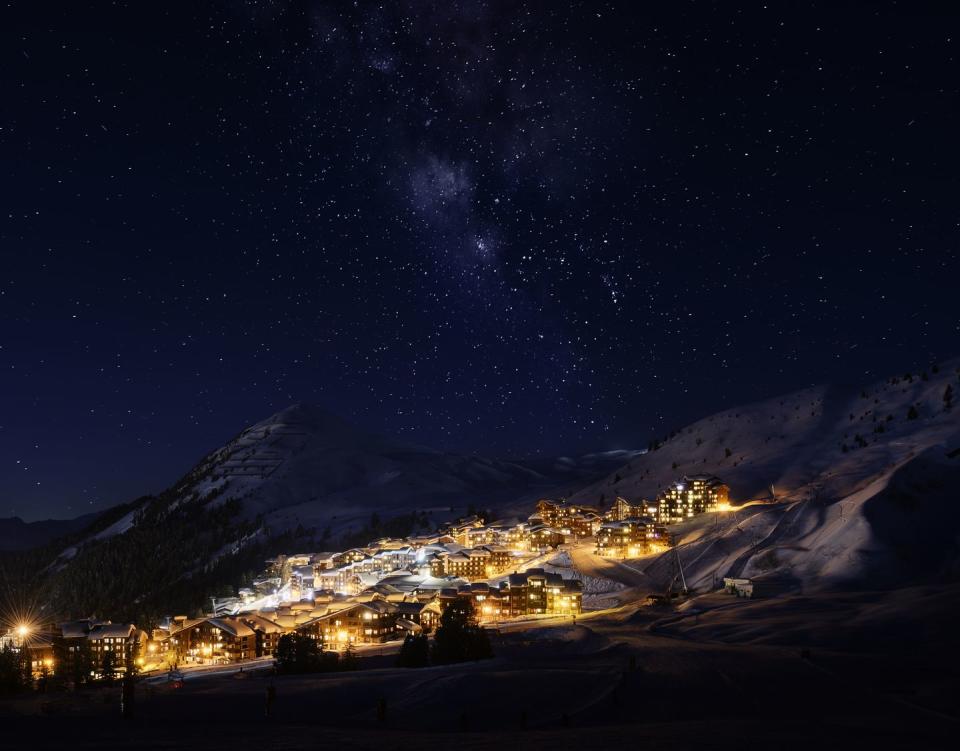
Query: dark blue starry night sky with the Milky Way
{"points": [[514, 228]]}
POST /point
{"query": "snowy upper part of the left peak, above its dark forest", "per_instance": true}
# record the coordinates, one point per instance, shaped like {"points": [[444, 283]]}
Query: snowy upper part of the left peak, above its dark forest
{"points": [[306, 466]]}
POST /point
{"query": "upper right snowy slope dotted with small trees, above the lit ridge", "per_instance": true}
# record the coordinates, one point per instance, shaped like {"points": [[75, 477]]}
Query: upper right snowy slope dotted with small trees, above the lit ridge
{"points": [[795, 443]]}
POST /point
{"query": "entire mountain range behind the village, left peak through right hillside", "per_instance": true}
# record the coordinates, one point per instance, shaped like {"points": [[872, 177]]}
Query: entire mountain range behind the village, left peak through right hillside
{"points": [[864, 491]]}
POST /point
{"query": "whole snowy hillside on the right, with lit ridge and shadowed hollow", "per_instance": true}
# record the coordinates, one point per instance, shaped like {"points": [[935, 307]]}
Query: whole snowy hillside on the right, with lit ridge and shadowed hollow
{"points": [[865, 487]]}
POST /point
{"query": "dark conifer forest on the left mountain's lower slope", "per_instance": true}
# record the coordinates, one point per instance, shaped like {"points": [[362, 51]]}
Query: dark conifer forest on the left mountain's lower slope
{"points": [[173, 558]]}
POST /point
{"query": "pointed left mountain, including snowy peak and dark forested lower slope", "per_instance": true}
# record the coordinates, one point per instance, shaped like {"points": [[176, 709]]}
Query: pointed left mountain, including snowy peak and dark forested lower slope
{"points": [[301, 478]]}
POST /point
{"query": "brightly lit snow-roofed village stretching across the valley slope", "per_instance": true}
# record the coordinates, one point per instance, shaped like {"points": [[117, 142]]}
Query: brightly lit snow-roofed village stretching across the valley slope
{"points": [[382, 592]]}
